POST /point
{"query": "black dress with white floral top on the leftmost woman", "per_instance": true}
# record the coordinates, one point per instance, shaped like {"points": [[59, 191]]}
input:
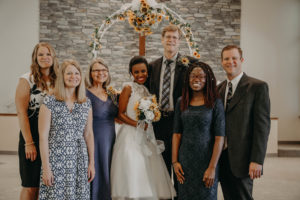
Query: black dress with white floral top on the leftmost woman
{"points": [[30, 171]]}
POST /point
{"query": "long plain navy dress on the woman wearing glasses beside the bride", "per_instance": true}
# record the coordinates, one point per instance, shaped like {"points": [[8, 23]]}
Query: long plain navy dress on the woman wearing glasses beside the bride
{"points": [[104, 113]]}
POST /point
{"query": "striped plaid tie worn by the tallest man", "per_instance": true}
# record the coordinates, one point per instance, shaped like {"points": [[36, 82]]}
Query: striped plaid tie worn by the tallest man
{"points": [[165, 104]]}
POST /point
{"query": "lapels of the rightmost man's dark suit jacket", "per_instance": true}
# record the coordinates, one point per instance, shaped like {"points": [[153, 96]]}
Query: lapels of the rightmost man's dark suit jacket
{"points": [[240, 91]]}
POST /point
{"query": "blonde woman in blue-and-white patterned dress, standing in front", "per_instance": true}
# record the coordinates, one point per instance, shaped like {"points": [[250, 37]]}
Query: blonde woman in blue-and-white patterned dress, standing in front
{"points": [[66, 138]]}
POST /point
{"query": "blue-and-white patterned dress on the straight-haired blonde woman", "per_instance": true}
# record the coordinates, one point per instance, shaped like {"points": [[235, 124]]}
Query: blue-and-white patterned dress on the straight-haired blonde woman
{"points": [[68, 155]]}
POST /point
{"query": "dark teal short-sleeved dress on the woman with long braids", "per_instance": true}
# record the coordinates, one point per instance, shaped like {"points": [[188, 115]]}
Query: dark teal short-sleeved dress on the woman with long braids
{"points": [[198, 125]]}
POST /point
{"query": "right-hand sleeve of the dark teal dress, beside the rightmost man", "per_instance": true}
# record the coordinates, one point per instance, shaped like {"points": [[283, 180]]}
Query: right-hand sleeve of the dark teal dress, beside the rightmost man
{"points": [[218, 119]]}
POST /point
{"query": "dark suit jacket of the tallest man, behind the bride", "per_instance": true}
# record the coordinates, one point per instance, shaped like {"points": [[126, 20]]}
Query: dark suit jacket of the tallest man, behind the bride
{"points": [[180, 69]]}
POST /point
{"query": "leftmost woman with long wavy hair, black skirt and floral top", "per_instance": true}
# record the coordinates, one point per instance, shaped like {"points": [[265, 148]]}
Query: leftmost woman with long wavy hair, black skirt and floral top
{"points": [[31, 90]]}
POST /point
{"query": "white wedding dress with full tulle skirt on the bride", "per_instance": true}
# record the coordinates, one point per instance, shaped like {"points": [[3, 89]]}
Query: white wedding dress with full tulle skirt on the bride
{"points": [[138, 170]]}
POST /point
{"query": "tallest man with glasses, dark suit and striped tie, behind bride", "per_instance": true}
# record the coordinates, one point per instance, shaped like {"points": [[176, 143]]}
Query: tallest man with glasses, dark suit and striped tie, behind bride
{"points": [[166, 80]]}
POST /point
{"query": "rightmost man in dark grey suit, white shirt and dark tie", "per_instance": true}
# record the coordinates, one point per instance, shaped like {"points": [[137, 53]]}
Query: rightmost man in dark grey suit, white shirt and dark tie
{"points": [[247, 113]]}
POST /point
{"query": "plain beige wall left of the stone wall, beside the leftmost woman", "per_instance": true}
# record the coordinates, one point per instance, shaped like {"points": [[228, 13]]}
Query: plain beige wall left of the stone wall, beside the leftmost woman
{"points": [[19, 32]]}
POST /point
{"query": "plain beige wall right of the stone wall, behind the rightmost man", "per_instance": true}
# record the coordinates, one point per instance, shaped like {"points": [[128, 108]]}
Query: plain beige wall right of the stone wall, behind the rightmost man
{"points": [[270, 38]]}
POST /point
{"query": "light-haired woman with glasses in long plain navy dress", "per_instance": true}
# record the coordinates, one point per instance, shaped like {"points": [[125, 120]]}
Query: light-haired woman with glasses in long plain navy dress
{"points": [[105, 111]]}
